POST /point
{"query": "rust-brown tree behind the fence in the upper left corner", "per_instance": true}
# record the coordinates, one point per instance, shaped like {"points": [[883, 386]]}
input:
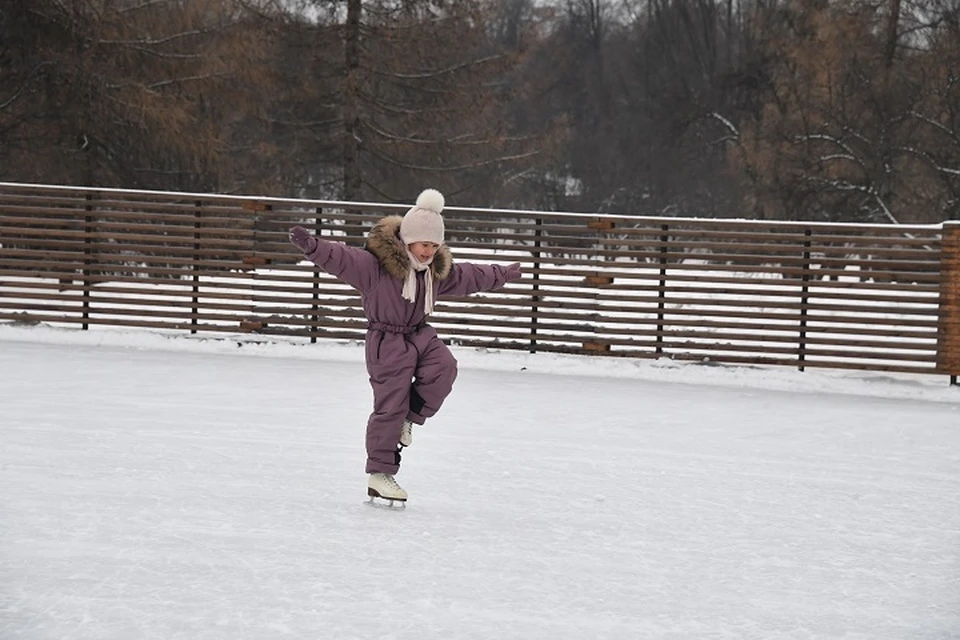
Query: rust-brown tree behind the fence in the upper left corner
{"points": [[126, 93]]}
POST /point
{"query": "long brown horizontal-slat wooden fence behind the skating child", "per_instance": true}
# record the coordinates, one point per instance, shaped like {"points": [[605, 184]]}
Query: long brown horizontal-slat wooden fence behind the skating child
{"points": [[801, 294]]}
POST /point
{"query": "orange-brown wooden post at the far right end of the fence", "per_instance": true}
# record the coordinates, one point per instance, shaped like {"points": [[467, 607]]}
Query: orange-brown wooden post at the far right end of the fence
{"points": [[948, 325]]}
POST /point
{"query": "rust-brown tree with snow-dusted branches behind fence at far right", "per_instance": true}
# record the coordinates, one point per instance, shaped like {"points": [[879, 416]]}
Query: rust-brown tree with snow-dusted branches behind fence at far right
{"points": [[848, 121]]}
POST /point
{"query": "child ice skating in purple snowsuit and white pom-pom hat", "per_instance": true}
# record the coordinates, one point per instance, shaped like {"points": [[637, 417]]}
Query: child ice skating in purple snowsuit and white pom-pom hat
{"points": [[401, 271]]}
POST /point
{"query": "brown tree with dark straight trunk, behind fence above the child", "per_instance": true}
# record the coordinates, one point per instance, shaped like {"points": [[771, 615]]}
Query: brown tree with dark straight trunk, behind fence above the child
{"points": [[411, 93]]}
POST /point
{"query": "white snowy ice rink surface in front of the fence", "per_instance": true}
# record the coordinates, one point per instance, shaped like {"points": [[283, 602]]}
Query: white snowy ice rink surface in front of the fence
{"points": [[167, 487]]}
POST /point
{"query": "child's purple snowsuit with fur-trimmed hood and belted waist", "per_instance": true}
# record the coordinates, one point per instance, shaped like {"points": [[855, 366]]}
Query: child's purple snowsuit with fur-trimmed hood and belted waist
{"points": [[411, 370]]}
